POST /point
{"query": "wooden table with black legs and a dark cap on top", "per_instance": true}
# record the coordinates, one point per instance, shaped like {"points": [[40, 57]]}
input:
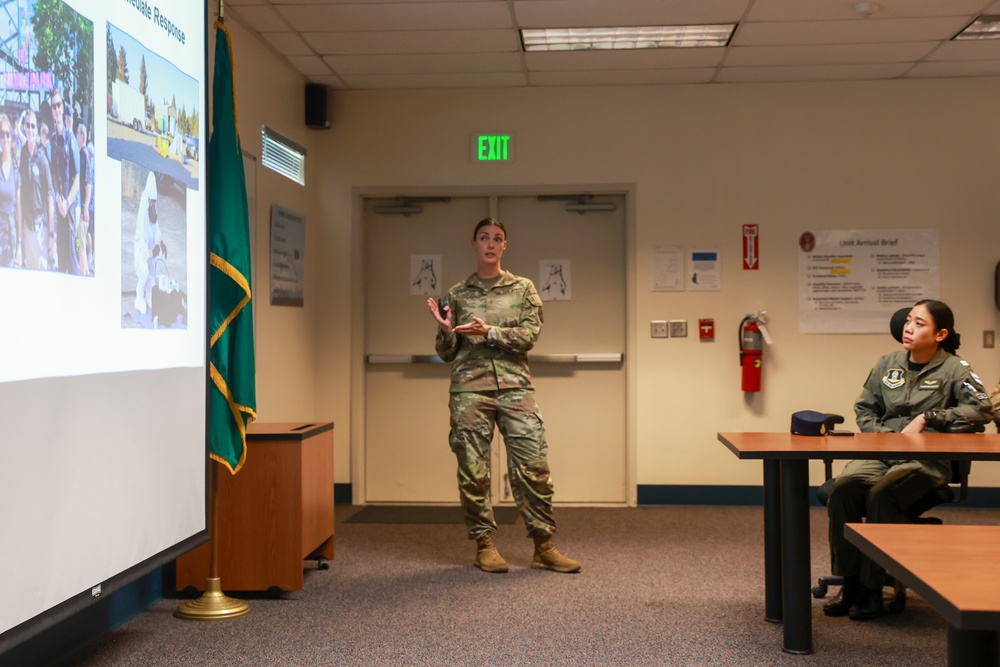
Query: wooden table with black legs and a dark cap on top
{"points": [[787, 579]]}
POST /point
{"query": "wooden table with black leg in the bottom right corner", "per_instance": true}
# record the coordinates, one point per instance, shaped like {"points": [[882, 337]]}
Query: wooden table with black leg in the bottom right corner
{"points": [[954, 569]]}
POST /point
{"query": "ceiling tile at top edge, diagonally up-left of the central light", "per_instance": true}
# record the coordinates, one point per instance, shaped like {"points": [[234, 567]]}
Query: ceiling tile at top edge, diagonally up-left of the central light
{"points": [[400, 16]]}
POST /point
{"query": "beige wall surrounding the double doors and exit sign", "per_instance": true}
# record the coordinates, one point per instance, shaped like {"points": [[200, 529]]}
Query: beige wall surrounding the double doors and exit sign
{"points": [[701, 161]]}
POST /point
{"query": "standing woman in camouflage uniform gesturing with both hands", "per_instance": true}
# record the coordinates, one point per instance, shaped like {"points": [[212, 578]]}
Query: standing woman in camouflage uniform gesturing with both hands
{"points": [[487, 324]]}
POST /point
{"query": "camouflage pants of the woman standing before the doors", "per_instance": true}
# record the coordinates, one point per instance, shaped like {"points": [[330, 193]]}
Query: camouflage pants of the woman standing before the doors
{"points": [[473, 416]]}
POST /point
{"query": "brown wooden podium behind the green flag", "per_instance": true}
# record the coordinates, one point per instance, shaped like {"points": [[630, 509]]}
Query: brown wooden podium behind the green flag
{"points": [[273, 514]]}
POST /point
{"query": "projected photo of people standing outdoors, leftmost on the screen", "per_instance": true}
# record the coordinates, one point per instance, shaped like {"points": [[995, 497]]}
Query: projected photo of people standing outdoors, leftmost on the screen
{"points": [[47, 176]]}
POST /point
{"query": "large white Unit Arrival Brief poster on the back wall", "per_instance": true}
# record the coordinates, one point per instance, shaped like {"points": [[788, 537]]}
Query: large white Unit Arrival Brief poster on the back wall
{"points": [[852, 281]]}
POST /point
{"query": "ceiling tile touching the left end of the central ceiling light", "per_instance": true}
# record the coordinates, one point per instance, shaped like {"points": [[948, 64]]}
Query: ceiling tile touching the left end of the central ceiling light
{"points": [[413, 41]]}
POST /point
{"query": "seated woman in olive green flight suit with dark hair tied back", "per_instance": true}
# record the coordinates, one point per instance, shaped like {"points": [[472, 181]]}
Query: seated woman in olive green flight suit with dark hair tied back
{"points": [[923, 387]]}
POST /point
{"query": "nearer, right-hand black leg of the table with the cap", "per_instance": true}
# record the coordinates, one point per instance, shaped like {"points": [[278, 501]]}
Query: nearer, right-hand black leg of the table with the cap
{"points": [[795, 556]]}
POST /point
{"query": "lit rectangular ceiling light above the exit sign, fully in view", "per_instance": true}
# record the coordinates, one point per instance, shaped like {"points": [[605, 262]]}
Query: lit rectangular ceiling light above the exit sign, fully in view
{"points": [[638, 37]]}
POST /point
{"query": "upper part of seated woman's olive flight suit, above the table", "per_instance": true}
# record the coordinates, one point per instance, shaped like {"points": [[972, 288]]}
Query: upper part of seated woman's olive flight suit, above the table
{"points": [[893, 395]]}
